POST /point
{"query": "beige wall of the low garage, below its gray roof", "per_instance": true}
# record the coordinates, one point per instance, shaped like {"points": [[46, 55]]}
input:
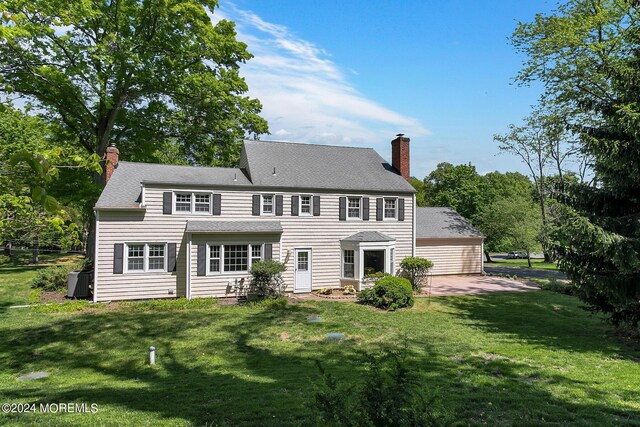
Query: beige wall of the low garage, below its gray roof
{"points": [[452, 256]]}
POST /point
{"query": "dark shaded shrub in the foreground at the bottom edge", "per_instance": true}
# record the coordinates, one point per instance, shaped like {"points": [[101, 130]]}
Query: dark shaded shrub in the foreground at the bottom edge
{"points": [[390, 395]]}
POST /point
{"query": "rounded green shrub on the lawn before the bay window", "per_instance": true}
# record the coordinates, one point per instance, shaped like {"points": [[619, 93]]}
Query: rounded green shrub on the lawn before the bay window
{"points": [[389, 293]]}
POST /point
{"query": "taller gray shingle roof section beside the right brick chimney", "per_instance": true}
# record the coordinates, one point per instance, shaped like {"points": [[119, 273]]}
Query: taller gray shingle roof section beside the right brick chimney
{"points": [[320, 167]]}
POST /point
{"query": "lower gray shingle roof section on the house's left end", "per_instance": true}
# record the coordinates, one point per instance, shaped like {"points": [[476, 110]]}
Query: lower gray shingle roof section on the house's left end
{"points": [[123, 189]]}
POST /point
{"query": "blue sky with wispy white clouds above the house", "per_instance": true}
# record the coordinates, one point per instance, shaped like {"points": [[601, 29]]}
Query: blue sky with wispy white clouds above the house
{"points": [[356, 72]]}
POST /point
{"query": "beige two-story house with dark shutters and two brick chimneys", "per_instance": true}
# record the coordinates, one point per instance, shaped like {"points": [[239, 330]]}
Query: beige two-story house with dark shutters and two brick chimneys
{"points": [[332, 214]]}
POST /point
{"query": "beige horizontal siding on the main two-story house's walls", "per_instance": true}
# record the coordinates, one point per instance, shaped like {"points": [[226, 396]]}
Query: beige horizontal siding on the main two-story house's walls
{"points": [[320, 233]]}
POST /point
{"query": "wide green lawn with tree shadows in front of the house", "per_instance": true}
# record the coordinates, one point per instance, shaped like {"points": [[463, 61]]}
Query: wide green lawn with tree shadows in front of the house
{"points": [[502, 359]]}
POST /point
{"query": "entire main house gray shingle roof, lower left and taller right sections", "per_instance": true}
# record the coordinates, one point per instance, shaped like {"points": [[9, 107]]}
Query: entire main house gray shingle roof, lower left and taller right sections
{"points": [[303, 166]]}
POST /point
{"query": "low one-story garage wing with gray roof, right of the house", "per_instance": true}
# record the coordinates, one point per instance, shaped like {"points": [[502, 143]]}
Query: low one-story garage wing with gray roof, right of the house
{"points": [[444, 237]]}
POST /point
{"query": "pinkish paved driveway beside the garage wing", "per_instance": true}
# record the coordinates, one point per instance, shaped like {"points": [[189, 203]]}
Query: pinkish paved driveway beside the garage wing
{"points": [[471, 285]]}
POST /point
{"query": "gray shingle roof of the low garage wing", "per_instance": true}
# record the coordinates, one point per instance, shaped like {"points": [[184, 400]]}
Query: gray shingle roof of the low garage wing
{"points": [[442, 223]]}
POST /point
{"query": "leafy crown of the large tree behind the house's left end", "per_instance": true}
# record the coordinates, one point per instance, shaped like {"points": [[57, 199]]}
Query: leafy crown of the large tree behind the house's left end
{"points": [[134, 73]]}
